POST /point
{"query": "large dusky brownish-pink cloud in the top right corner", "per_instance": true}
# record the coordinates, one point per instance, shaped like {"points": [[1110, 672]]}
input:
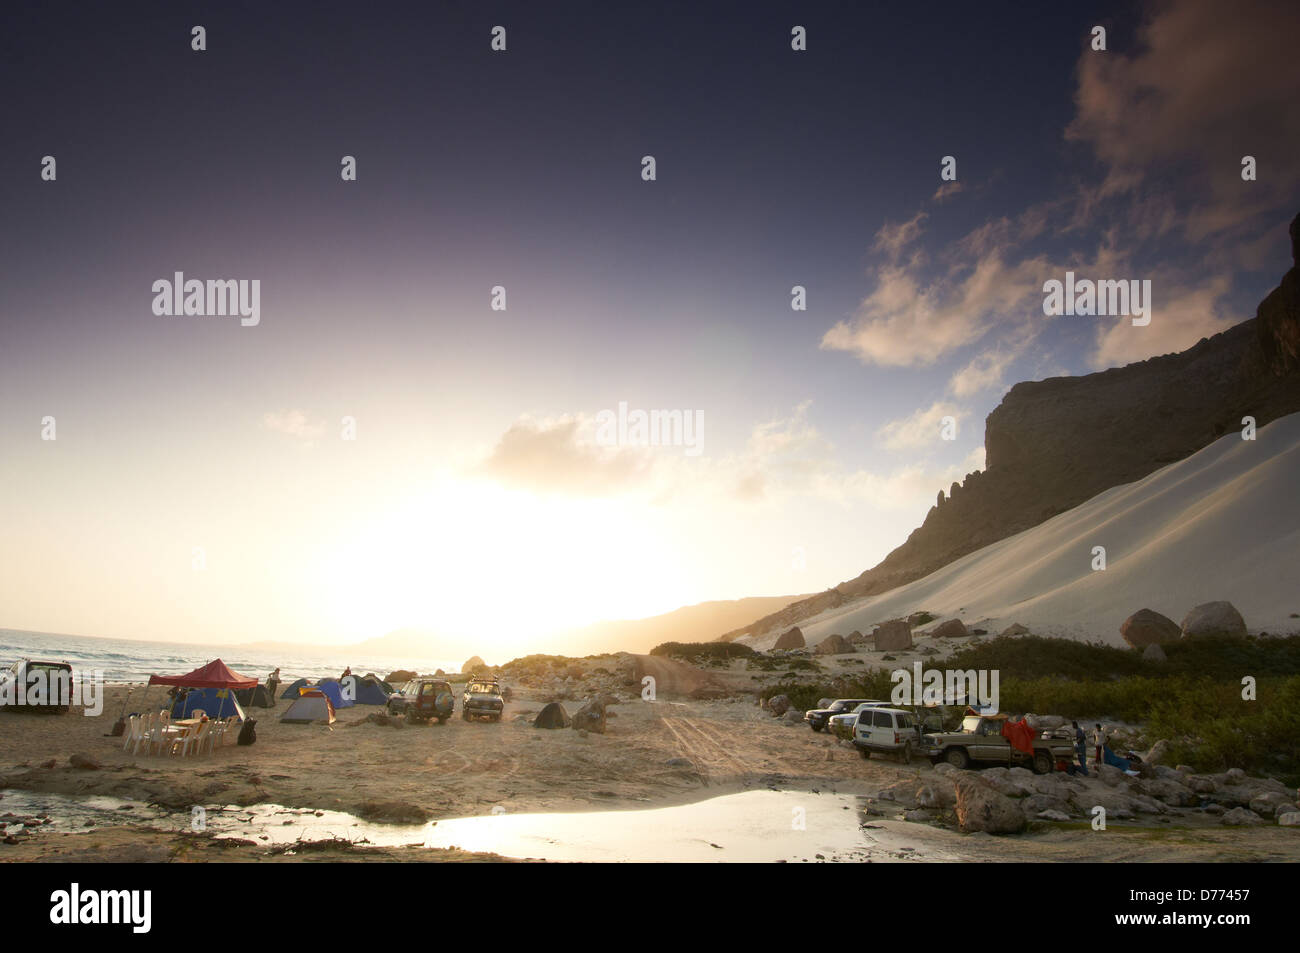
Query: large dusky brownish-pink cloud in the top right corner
{"points": [[1204, 88]]}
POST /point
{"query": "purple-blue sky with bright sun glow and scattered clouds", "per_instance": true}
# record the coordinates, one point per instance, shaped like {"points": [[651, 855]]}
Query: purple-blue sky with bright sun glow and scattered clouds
{"points": [[385, 449]]}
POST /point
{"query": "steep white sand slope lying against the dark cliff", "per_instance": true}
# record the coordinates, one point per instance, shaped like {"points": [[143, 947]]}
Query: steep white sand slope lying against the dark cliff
{"points": [[1223, 525]]}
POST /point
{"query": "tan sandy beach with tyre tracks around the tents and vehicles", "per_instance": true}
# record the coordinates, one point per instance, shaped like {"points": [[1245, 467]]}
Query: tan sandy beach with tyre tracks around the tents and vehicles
{"points": [[670, 752]]}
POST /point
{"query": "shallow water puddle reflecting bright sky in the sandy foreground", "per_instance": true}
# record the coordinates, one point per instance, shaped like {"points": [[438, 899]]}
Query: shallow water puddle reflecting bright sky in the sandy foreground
{"points": [[757, 826]]}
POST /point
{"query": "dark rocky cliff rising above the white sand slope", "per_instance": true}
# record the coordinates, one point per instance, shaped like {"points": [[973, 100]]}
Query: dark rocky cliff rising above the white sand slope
{"points": [[1051, 445]]}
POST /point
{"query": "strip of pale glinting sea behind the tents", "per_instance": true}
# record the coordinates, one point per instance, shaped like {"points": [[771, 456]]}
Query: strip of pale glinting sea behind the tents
{"points": [[125, 661]]}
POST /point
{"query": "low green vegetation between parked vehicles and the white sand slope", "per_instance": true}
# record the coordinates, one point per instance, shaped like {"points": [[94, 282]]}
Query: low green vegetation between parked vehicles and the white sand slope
{"points": [[1194, 701]]}
